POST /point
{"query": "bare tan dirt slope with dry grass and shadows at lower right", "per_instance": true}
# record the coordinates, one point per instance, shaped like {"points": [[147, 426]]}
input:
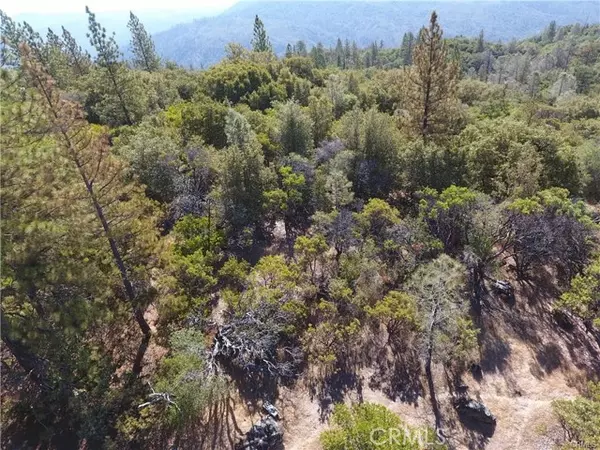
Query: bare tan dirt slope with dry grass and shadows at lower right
{"points": [[527, 361]]}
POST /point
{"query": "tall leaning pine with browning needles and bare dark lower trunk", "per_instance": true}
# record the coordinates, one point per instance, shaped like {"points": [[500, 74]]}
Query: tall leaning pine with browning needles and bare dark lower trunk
{"points": [[119, 211]]}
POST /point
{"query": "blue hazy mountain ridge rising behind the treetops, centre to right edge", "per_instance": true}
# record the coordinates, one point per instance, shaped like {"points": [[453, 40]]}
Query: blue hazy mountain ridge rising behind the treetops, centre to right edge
{"points": [[202, 42]]}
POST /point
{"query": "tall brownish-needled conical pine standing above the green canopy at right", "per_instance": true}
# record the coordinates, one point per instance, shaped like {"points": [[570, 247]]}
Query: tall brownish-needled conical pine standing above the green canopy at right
{"points": [[430, 83]]}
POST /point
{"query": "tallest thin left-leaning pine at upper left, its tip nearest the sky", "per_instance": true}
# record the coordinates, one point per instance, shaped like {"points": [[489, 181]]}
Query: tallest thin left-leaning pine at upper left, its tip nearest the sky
{"points": [[108, 58]]}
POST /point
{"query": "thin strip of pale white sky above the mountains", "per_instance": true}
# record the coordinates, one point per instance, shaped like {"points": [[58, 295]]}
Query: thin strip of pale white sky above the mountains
{"points": [[13, 7]]}
